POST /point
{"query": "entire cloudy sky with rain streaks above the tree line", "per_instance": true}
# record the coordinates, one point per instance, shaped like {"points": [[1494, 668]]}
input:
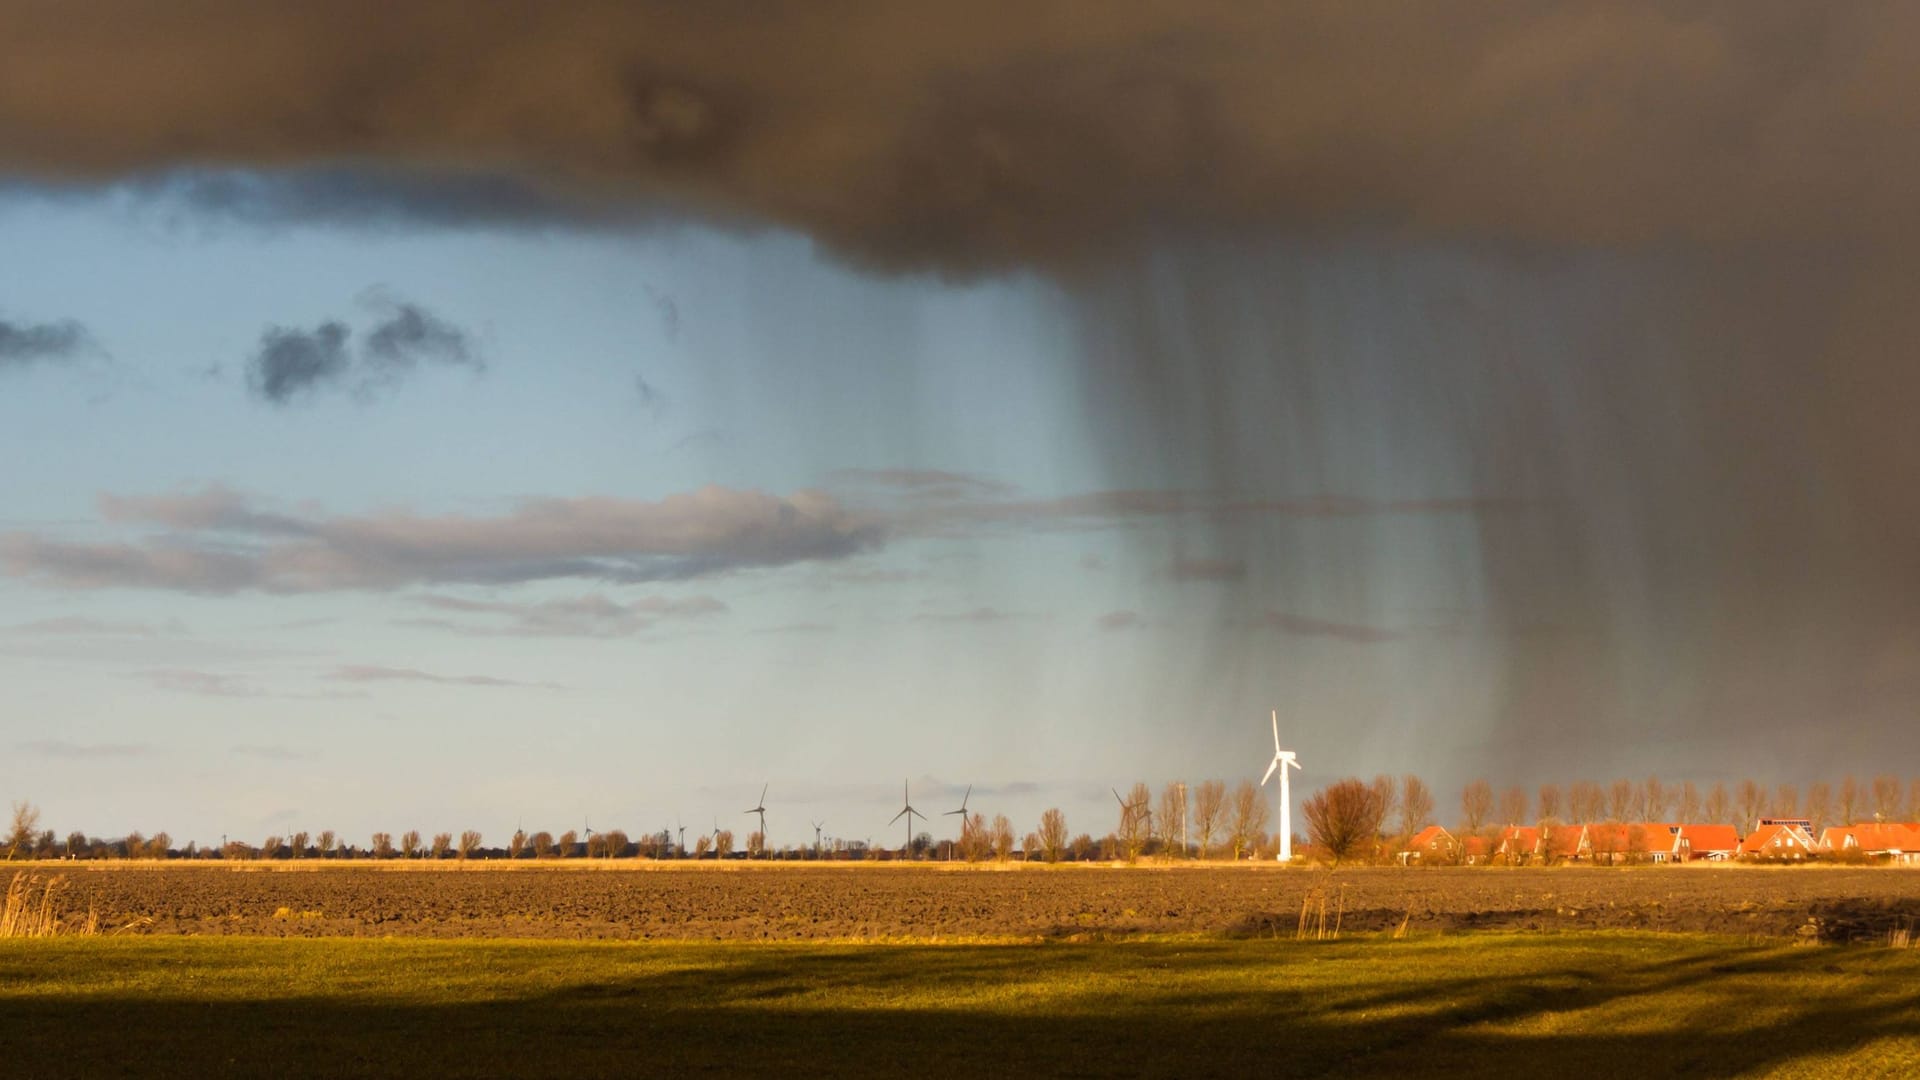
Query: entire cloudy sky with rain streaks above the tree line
{"points": [[585, 418]]}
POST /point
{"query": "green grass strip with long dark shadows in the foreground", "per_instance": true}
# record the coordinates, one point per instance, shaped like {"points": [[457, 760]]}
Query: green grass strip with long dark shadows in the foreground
{"points": [[1452, 1006]]}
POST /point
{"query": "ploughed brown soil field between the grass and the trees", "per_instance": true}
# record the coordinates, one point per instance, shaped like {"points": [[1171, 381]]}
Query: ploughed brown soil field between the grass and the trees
{"points": [[788, 902]]}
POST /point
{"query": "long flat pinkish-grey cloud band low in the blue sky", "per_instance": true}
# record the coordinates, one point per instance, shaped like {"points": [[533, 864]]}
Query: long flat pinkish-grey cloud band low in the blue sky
{"points": [[220, 541]]}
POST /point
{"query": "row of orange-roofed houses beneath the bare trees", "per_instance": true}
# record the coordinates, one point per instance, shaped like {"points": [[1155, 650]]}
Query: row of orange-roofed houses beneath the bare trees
{"points": [[1666, 843]]}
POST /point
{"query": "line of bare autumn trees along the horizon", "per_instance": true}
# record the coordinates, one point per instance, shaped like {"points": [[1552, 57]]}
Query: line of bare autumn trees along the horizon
{"points": [[1193, 822]]}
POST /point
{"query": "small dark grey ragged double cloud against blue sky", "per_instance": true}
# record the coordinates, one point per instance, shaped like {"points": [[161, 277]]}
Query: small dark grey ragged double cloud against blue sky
{"points": [[293, 364]]}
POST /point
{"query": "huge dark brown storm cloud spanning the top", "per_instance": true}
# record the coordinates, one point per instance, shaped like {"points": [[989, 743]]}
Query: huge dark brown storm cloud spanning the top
{"points": [[976, 137]]}
